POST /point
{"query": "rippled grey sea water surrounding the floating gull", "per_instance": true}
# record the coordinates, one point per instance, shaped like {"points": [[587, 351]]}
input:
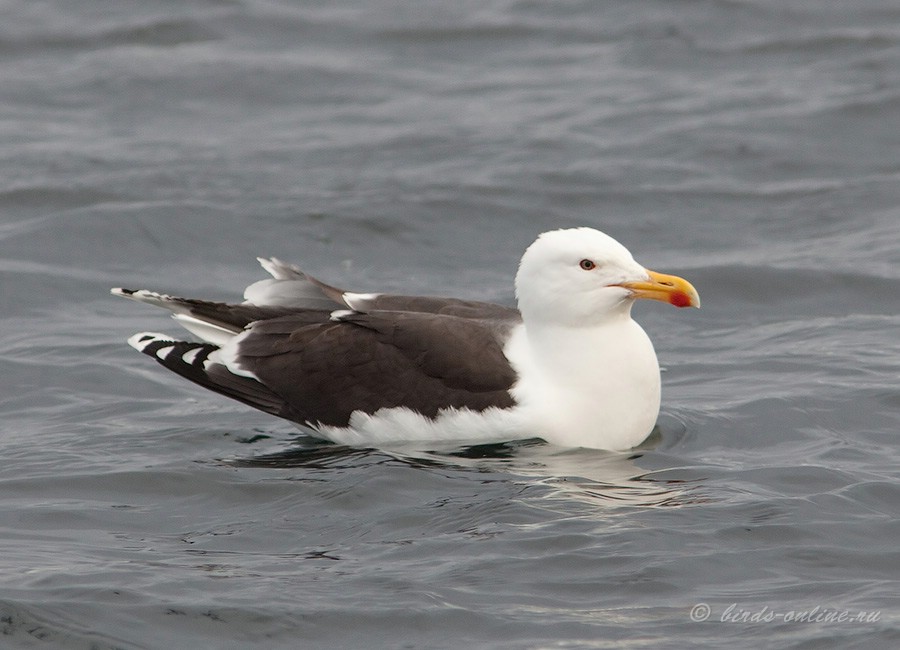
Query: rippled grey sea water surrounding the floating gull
{"points": [[752, 146]]}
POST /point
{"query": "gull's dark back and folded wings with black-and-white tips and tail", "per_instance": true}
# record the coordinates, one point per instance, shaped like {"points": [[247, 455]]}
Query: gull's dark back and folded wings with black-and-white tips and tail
{"points": [[318, 358]]}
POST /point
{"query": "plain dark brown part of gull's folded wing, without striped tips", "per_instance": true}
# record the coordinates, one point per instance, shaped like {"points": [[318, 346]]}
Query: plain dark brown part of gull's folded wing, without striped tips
{"points": [[425, 362]]}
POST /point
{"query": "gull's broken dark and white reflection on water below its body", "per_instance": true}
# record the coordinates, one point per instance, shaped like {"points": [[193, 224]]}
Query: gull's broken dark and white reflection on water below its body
{"points": [[595, 476]]}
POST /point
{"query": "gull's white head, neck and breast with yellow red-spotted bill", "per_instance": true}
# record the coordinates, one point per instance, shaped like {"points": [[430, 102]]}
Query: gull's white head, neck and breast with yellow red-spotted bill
{"points": [[588, 372]]}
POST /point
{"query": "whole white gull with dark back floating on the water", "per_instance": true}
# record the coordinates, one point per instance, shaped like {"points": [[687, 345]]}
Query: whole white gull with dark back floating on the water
{"points": [[569, 365]]}
